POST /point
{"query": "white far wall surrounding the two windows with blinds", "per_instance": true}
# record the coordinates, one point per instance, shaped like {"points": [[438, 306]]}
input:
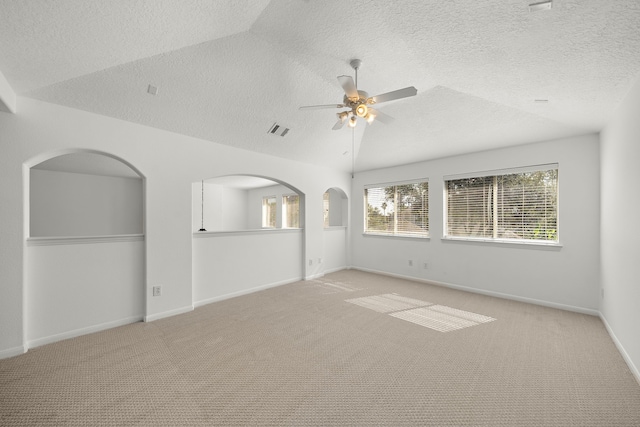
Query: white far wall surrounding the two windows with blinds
{"points": [[563, 277]]}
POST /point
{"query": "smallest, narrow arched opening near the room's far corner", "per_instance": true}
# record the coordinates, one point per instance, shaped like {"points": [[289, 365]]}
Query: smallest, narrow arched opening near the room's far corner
{"points": [[336, 237]]}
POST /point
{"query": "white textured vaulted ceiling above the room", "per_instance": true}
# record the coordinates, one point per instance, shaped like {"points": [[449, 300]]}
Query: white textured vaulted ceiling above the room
{"points": [[227, 70]]}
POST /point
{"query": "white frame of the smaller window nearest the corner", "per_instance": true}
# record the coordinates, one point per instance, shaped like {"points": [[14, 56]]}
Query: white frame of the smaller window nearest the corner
{"points": [[396, 233]]}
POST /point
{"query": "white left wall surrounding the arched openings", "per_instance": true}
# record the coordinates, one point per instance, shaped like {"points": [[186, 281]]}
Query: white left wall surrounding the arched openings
{"points": [[169, 162]]}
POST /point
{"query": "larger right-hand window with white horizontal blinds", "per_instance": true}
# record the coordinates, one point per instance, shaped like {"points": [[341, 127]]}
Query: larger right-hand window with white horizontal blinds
{"points": [[520, 205]]}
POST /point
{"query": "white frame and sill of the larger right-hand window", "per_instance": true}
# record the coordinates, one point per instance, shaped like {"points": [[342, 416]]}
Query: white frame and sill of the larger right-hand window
{"points": [[498, 173]]}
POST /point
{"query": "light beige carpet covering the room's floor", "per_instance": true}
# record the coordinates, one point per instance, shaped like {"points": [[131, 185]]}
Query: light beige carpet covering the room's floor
{"points": [[301, 355]]}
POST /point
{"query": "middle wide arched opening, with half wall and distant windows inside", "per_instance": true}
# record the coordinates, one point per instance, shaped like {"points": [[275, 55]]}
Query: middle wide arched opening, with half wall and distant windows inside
{"points": [[253, 235]]}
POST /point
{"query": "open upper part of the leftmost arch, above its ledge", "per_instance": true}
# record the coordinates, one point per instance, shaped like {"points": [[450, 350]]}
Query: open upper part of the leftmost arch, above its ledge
{"points": [[85, 194]]}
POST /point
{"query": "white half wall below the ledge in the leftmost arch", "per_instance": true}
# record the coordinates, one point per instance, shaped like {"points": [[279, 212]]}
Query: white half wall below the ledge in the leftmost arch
{"points": [[78, 286]]}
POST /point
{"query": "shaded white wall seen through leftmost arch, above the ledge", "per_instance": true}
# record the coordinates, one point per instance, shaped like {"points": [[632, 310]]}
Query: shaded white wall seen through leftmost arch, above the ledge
{"points": [[74, 204]]}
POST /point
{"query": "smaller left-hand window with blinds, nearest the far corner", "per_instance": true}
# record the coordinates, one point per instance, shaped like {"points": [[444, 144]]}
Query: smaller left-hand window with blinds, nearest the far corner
{"points": [[398, 209]]}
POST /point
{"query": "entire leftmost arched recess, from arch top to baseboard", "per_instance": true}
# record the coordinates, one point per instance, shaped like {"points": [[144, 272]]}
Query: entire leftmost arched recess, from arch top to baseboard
{"points": [[84, 245]]}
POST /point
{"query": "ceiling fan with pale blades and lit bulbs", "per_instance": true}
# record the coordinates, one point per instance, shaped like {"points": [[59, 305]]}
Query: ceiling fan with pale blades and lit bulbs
{"points": [[359, 102]]}
